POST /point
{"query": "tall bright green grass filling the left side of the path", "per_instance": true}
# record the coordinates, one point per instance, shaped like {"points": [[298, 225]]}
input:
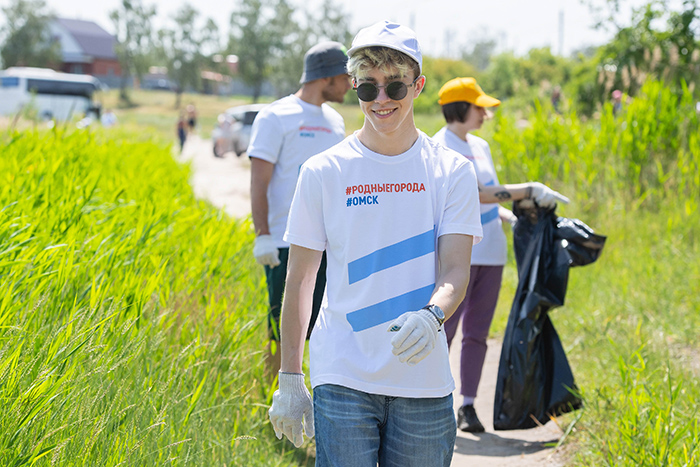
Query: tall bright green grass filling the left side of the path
{"points": [[131, 315]]}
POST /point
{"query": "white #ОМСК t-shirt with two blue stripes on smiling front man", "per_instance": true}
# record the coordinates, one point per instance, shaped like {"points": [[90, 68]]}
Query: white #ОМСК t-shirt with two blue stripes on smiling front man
{"points": [[379, 218]]}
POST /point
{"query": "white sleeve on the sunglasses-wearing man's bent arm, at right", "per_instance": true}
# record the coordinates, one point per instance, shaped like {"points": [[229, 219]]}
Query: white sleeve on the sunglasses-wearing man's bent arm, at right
{"points": [[462, 213]]}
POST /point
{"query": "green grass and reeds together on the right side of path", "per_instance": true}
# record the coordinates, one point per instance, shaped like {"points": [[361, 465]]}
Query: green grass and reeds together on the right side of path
{"points": [[631, 320]]}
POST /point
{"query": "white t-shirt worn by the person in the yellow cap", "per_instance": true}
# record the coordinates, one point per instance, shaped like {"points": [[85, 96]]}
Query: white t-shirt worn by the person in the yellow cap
{"points": [[493, 249]]}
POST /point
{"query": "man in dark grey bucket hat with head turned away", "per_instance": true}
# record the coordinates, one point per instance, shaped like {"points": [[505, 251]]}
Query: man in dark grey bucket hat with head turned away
{"points": [[284, 135]]}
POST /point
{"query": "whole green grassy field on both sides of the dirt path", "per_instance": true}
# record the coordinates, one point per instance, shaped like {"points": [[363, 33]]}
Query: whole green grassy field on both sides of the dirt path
{"points": [[131, 314]]}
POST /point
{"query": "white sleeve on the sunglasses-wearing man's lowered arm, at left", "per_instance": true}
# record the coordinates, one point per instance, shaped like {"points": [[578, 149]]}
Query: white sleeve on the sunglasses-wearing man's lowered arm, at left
{"points": [[305, 225]]}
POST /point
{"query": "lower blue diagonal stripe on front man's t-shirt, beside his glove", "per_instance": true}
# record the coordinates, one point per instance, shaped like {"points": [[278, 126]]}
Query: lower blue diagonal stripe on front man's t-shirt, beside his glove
{"points": [[390, 309]]}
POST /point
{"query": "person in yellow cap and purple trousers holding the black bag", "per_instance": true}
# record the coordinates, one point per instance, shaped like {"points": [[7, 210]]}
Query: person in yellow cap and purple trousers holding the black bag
{"points": [[464, 106]]}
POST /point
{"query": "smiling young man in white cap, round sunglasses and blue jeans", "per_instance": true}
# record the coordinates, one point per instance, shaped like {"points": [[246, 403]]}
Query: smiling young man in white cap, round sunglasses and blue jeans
{"points": [[397, 215]]}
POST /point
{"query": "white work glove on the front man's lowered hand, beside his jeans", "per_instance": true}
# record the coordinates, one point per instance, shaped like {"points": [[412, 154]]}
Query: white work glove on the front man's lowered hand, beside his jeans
{"points": [[292, 407]]}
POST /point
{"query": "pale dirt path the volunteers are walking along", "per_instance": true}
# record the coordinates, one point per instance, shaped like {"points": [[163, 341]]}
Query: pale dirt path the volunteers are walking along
{"points": [[225, 182]]}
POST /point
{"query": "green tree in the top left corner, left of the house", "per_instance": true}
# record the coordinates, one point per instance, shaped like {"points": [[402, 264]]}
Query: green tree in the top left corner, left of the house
{"points": [[26, 36]]}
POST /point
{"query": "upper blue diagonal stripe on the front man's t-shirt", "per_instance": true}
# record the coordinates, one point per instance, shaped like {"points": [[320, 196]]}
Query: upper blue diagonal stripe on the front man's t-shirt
{"points": [[391, 255]]}
